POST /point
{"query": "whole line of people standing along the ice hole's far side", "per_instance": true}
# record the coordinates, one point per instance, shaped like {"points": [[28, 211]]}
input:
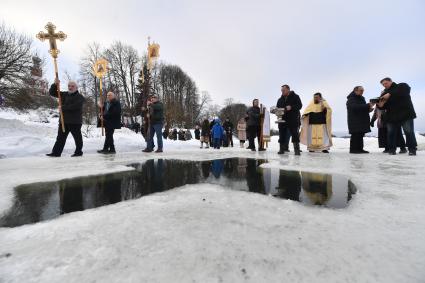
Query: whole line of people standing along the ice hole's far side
{"points": [[393, 113]]}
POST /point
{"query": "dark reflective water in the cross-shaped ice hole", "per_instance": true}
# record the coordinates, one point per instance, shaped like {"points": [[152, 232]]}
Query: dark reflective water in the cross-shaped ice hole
{"points": [[42, 201]]}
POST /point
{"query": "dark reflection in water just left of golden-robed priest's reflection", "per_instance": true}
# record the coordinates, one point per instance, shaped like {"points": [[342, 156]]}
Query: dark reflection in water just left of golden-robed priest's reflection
{"points": [[289, 185]]}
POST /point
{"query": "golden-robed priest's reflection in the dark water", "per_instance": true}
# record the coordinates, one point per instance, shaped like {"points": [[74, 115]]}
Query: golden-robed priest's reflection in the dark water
{"points": [[317, 187]]}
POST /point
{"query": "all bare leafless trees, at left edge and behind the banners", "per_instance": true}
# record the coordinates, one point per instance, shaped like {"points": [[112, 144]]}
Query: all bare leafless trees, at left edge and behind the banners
{"points": [[128, 77]]}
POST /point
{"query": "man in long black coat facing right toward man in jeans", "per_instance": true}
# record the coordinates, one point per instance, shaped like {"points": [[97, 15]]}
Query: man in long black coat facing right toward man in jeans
{"points": [[358, 119]]}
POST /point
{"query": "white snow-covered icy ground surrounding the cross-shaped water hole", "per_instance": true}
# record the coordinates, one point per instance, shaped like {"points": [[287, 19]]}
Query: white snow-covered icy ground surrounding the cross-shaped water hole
{"points": [[231, 237]]}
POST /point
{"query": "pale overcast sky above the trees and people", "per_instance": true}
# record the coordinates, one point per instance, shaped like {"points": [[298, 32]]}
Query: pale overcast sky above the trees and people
{"points": [[248, 49]]}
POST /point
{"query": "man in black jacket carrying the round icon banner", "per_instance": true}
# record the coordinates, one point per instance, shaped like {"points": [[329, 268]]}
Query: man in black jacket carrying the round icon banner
{"points": [[111, 121]]}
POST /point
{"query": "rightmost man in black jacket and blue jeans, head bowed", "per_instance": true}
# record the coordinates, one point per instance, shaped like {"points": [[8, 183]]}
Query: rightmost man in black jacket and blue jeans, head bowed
{"points": [[397, 102]]}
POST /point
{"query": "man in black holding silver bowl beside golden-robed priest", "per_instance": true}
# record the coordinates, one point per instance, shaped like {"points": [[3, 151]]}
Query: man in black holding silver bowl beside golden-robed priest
{"points": [[292, 104]]}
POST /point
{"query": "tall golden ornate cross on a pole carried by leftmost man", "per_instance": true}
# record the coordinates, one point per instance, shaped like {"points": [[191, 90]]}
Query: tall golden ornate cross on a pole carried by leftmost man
{"points": [[54, 51]]}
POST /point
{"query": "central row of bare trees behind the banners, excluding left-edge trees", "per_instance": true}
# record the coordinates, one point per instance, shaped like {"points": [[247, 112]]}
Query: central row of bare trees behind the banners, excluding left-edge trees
{"points": [[129, 78]]}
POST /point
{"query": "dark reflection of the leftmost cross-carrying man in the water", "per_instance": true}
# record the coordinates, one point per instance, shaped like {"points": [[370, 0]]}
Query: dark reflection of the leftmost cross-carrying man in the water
{"points": [[71, 196]]}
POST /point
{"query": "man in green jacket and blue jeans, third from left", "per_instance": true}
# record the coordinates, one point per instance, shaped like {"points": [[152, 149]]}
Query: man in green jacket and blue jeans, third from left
{"points": [[156, 122]]}
